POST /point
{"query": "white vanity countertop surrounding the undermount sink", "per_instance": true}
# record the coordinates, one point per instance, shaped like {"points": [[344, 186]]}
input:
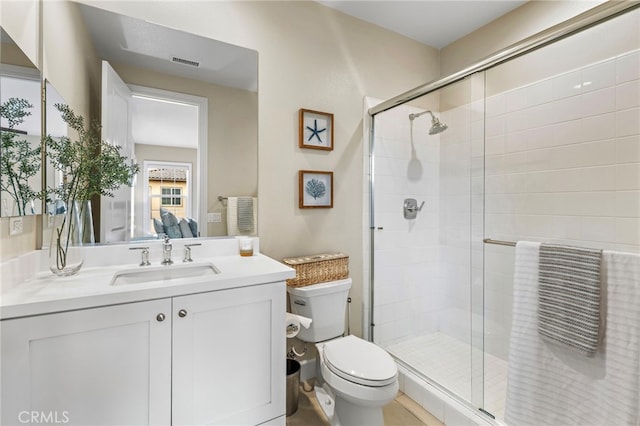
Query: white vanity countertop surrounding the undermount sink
{"points": [[46, 293]]}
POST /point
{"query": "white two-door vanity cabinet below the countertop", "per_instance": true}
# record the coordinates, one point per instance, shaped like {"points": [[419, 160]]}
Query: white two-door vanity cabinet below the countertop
{"points": [[215, 357]]}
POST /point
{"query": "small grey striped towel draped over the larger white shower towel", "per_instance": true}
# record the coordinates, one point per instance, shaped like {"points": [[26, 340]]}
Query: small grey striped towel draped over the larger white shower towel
{"points": [[569, 295]]}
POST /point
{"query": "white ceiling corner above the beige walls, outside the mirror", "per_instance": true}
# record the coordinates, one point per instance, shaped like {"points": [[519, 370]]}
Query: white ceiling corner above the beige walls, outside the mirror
{"points": [[437, 23]]}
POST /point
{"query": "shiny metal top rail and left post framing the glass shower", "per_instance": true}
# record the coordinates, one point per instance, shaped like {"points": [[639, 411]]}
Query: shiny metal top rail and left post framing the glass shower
{"points": [[592, 17]]}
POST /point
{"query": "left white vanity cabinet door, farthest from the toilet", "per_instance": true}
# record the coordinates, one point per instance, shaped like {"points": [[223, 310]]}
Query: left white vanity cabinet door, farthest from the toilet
{"points": [[102, 366]]}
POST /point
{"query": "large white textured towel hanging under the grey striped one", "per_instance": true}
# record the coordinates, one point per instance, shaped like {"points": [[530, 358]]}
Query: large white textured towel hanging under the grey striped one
{"points": [[551, 385]]}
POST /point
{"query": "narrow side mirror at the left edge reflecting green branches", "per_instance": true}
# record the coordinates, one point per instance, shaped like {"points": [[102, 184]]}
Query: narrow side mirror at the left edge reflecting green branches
{"points": [[20, 155]]}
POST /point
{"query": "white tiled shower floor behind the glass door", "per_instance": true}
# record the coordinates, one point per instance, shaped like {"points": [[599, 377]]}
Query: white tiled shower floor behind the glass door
{"points": [[447, 361]]}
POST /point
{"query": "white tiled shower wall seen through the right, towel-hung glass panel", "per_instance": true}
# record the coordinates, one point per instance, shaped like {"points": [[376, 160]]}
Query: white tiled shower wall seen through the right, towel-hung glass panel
{"points": [[562, 164]]}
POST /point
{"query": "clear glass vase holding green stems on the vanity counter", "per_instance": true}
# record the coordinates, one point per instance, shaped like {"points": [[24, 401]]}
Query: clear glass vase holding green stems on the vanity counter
{"points": [[66, 253]]}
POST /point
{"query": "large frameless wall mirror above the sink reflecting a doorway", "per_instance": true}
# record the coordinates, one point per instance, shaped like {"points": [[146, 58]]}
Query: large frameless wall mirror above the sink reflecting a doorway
{"points": [[182, 106]]}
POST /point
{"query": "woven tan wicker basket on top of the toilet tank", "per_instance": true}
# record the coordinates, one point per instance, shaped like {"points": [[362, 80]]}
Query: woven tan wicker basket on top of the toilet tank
{"points": [[318, 268]]}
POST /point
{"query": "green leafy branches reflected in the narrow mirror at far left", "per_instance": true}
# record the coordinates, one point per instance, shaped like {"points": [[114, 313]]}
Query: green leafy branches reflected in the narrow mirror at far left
{"points": [[18, 160]]}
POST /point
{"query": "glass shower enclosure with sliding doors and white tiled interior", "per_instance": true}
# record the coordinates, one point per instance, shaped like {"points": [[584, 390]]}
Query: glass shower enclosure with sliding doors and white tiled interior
{"points": [[543, 146]]}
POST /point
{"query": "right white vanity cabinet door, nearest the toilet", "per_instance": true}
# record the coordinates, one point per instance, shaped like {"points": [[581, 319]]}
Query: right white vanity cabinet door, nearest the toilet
{"points": [[229, 356]]}
